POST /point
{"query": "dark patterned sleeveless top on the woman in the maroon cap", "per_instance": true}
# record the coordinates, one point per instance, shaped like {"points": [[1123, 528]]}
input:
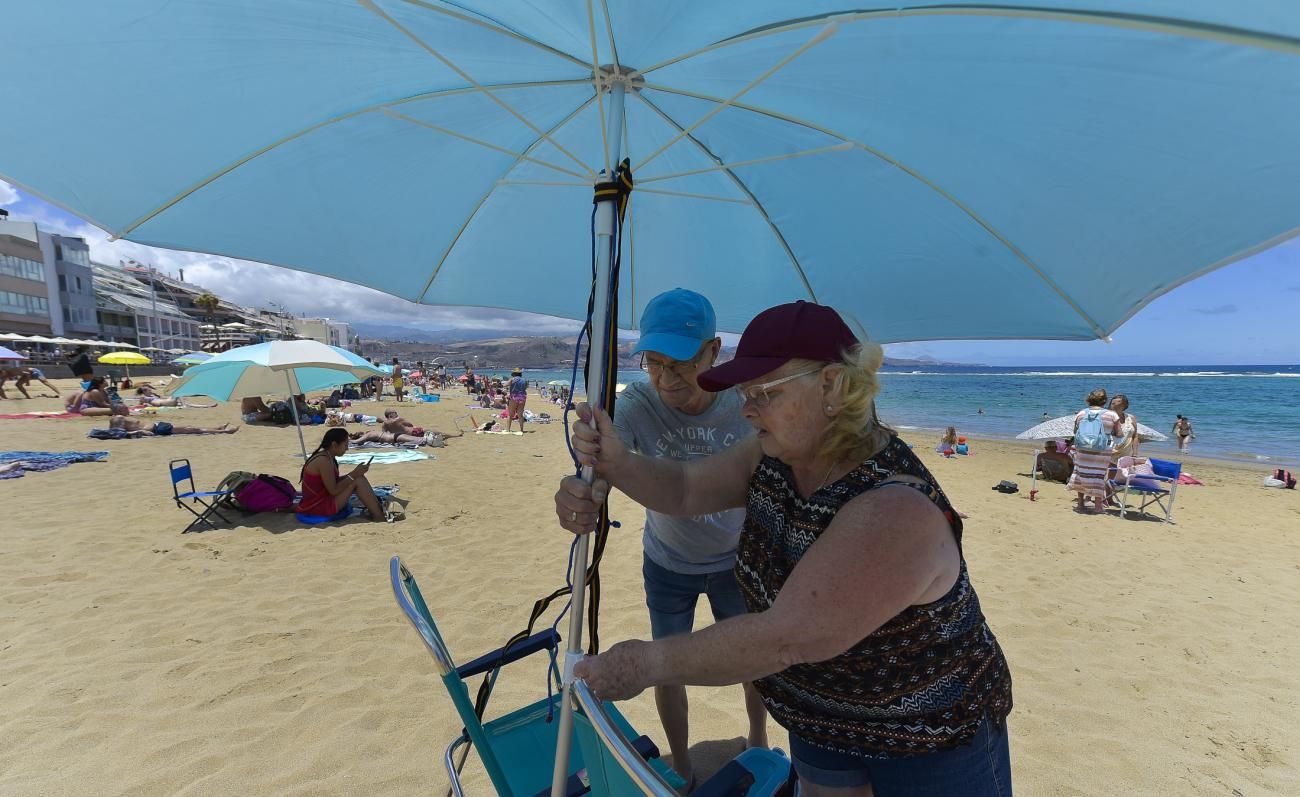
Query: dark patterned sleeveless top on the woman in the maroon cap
{"points": [[921, 683]]}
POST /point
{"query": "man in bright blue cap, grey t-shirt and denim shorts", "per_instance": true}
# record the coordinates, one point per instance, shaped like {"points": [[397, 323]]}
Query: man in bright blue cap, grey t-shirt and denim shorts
{"points": [[671, 415]]}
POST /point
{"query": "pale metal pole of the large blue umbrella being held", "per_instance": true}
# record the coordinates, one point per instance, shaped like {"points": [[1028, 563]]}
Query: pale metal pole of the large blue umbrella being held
{"points": [[597, 356]]}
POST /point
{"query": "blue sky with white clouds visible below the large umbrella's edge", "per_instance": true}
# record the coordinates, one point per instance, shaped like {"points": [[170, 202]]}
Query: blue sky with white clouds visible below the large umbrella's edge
{"points": [[1238, 315]]}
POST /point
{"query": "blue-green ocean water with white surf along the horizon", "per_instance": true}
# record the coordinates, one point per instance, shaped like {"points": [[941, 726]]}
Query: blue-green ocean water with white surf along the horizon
{"points": [[1242, 413]]}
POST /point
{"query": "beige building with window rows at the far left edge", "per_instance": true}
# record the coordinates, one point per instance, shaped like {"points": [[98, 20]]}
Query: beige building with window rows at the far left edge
{"points": [[25, 293]]}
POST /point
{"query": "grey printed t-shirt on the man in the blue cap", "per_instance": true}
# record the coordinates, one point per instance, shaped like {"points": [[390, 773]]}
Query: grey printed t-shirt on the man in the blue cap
{"points": [[704, 544]]}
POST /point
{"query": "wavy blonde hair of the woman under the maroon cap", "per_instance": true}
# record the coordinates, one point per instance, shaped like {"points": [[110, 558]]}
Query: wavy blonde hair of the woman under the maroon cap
{"points": [[855, 432]]}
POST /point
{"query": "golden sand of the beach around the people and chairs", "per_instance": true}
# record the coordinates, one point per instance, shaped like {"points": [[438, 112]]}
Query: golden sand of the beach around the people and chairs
{"points": [[270, 659]]}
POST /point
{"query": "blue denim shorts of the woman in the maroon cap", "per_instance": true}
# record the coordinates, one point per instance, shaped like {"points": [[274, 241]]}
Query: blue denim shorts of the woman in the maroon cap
{"points": [[982, 769]]}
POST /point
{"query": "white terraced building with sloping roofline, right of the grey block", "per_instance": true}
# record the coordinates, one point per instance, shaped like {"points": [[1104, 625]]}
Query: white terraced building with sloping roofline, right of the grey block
{"points": [[129, 311]]}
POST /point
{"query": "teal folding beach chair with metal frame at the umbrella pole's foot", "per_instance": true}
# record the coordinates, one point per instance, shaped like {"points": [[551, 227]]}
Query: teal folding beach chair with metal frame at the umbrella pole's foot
{"points": [[517, 750]]}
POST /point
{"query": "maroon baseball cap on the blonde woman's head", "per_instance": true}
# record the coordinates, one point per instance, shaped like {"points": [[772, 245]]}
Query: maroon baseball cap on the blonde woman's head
{"points": [[779, 335]]}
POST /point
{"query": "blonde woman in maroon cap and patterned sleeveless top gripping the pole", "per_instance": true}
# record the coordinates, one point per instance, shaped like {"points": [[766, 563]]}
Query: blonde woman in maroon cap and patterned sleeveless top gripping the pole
{"points": [[865, 636]]}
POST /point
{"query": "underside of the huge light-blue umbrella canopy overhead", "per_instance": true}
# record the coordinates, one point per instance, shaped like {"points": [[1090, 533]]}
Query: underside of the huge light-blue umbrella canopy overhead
{"points": [[1054, 166]]}
